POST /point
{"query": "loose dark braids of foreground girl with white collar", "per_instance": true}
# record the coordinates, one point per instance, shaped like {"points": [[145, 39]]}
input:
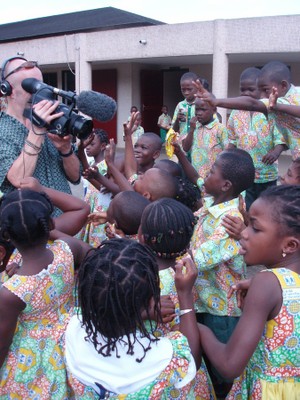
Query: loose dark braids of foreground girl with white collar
{"points": [[115, 284]]}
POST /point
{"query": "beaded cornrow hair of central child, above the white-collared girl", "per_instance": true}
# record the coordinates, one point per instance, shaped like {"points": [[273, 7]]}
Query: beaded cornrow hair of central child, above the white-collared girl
{"points": [[167, 227]]}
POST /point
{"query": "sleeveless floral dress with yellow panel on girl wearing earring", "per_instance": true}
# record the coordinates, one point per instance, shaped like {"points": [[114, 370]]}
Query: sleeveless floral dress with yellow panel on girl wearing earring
{"points": [[273, 371]]}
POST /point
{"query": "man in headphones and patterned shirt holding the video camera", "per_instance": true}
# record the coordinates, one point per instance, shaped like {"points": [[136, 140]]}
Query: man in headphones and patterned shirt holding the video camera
{"points": [[28, 150]]}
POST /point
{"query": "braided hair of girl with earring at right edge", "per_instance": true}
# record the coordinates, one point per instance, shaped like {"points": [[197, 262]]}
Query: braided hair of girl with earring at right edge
{"points": [[284, 201]]}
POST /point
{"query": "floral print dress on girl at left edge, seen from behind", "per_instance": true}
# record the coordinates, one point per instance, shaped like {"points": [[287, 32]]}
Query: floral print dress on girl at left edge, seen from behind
{"points": [[34, 367]]}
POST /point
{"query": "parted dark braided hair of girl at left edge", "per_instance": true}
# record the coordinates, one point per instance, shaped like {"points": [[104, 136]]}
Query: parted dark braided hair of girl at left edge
{"points": [[25, 217]]}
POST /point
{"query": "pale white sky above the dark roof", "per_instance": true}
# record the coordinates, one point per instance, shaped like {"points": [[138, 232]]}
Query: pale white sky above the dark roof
{"points": [[169, 11]]}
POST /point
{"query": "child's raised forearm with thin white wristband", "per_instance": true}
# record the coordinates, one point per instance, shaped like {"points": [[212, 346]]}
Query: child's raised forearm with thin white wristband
{"points": [[185, 276]]}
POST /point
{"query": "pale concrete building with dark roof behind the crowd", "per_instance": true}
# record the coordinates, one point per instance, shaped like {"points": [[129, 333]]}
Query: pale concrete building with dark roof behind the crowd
{"points": [[141, 63]]}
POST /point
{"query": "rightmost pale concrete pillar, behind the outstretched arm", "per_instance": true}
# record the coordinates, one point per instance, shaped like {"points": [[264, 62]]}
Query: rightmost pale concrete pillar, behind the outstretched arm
{"points": [[220, 65]]}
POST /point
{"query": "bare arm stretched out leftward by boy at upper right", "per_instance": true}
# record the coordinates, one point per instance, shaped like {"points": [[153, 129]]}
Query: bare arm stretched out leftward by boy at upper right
{"points": [[237, 103]]}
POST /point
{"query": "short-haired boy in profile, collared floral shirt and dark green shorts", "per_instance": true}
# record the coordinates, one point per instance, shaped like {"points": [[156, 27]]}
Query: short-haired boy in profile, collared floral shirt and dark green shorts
{"points": [[216, 254]]}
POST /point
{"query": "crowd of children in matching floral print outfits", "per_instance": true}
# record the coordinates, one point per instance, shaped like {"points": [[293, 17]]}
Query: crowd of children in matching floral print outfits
{"points": [[151, 314]]}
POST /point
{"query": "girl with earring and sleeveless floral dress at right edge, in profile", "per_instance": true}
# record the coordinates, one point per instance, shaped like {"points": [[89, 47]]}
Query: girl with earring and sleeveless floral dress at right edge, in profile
{"points": [[263, 348]]}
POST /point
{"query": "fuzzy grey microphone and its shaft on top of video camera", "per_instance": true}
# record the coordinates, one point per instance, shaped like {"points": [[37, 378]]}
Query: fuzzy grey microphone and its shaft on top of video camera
{"points": [[96, 105]]}
